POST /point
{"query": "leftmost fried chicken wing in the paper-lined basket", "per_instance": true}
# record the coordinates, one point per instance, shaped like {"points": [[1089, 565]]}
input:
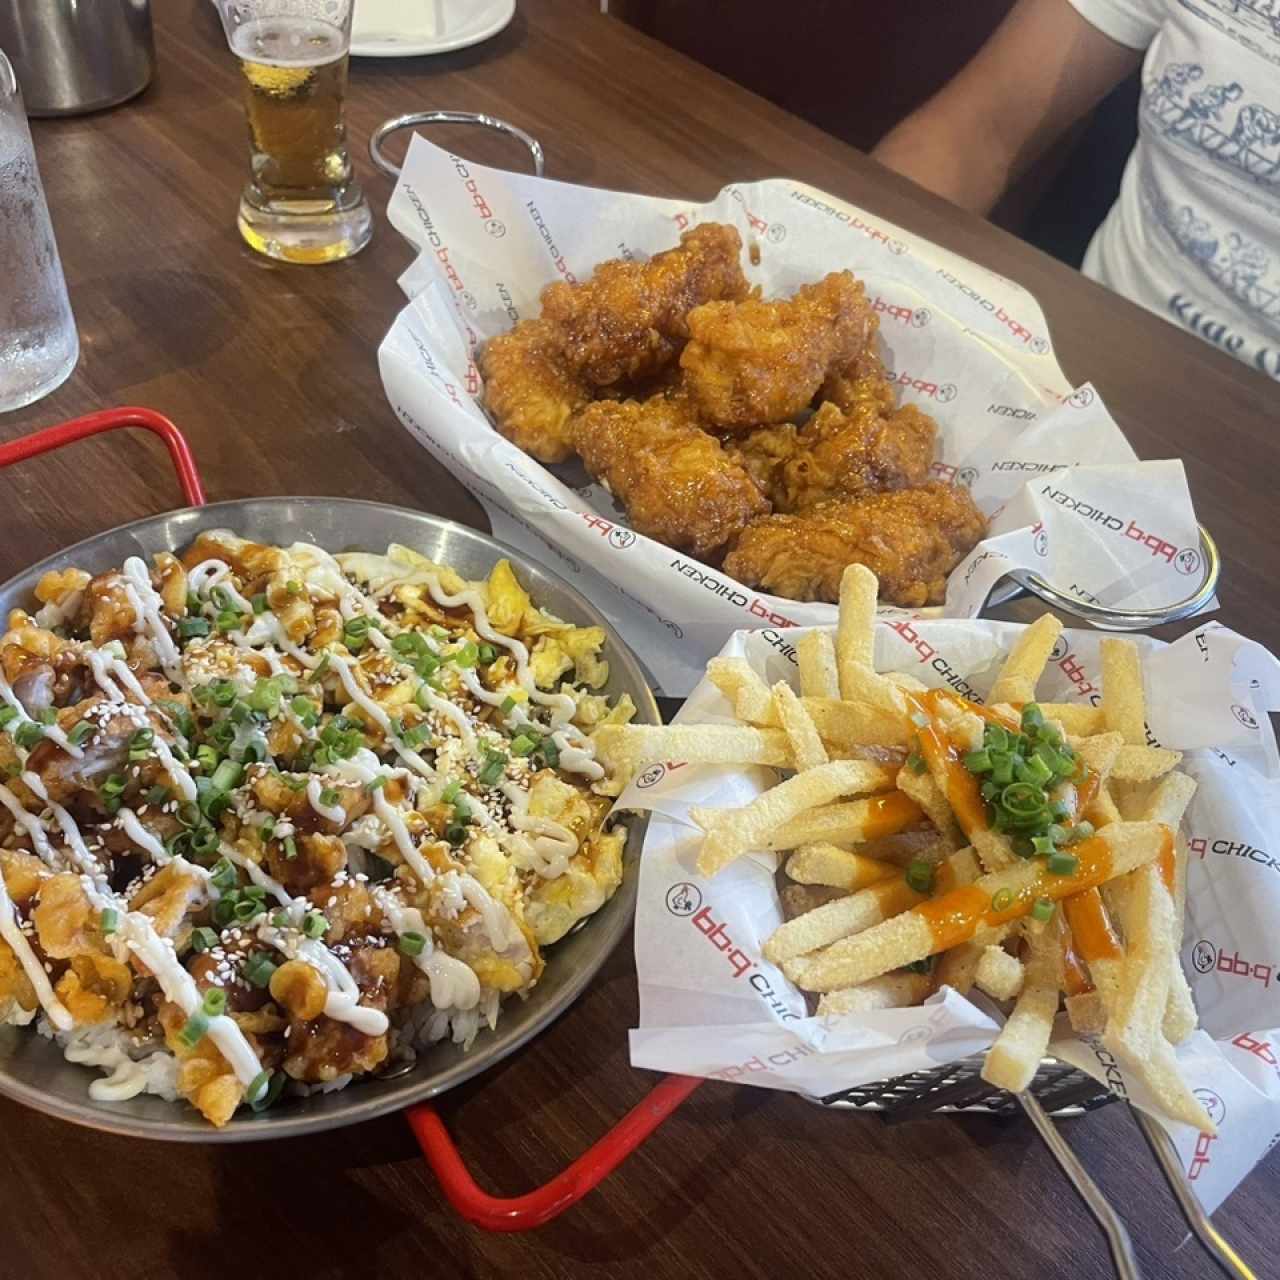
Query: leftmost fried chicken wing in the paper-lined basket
{"points": [[531, 391]]}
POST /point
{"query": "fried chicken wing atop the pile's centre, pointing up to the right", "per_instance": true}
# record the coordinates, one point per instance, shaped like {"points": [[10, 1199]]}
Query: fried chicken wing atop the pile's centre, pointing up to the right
{"points": [[761, 363]]}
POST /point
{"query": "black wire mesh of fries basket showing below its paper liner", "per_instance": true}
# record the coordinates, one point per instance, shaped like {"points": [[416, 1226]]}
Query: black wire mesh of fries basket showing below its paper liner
{"points": [[1060, 1090]]}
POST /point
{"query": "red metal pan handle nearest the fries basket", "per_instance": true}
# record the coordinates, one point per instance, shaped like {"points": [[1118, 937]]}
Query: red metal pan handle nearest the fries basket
{"points": [[551, 1200]]}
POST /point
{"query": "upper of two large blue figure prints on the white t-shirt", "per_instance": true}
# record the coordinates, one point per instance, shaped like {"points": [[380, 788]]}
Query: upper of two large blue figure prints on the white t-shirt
{"points": [[1217, 122]]}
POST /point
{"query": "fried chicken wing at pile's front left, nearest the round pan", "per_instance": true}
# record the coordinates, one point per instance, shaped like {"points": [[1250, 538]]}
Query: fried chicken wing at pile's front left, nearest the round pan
{"points": [[675, 481]]}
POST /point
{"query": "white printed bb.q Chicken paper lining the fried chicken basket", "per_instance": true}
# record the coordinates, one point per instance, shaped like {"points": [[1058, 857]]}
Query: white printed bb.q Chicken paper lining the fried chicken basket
{"points": [[1064, 491]]}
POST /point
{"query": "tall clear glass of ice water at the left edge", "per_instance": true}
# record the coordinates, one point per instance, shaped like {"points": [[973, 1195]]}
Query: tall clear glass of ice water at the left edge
{"points": [[39, 346]]}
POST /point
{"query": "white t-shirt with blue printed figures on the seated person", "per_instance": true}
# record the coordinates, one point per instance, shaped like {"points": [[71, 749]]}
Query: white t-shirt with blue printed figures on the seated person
{"points": [[1195, 235]]}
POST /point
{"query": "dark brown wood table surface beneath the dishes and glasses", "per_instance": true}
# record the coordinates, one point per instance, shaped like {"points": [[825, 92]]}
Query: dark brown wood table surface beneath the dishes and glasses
{"points": [[271, 372]]}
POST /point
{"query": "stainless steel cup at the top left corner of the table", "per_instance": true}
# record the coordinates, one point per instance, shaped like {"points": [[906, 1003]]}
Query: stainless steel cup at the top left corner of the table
{"points": [[79, 56]]}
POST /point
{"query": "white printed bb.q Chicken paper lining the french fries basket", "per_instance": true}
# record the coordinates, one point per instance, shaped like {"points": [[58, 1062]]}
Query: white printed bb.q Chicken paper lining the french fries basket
{"points": [[712, 1005]]}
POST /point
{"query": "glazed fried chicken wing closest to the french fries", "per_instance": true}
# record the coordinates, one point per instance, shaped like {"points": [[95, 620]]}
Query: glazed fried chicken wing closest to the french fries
{"points": [[911, 540]]}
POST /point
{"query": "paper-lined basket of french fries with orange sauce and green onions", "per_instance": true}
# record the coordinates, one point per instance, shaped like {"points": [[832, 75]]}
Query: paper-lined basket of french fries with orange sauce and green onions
{"points": [[949, 862]]}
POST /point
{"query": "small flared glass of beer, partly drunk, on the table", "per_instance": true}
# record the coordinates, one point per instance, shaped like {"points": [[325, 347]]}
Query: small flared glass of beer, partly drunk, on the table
{"points": [[303, 203]]}
